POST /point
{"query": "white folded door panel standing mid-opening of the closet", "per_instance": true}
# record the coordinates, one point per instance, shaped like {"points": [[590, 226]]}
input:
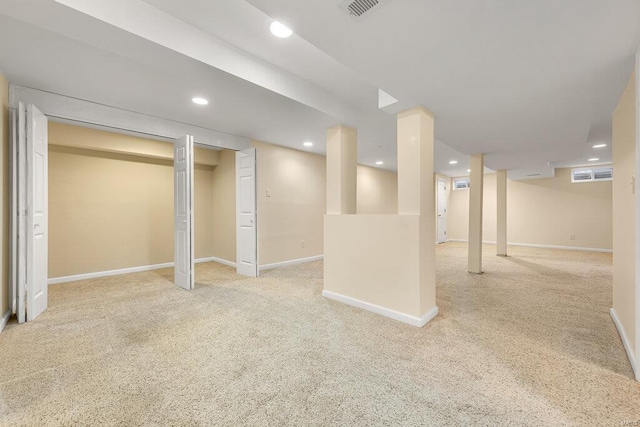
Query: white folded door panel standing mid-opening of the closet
{"points": [[183, 212]]}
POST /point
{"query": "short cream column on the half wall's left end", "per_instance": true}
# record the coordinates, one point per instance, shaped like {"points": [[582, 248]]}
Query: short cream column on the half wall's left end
{"points": [[342, 162]]}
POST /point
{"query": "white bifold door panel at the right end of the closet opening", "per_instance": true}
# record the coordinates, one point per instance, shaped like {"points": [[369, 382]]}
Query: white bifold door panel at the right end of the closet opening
{"points": [[246, 218]]}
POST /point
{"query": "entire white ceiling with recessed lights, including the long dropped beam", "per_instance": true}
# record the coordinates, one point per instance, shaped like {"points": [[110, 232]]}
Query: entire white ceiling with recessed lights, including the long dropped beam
{"points": [[528, 84]]}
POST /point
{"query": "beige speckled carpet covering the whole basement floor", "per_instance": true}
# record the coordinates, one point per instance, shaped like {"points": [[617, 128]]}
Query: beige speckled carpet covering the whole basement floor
{"points": [[530, 342]]}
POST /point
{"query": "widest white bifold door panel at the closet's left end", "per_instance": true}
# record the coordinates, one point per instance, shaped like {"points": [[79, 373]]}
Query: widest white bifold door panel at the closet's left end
{"points": [[37, 212]]}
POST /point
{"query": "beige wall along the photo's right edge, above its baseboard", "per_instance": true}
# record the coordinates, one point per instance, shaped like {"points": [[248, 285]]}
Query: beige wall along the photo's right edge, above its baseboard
{"points": [[624, 137]]}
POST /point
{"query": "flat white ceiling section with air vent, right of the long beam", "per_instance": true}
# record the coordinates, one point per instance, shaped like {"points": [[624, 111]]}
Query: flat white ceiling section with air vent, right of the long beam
{"points": [[521, 81]]}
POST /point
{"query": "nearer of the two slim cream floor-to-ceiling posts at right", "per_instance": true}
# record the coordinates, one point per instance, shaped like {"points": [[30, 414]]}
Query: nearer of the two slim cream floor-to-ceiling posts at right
{"points": [[475, 213]]}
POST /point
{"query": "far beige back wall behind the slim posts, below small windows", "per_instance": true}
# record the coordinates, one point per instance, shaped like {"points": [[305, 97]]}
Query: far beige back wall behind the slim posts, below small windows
{"points": [[542, 211]]}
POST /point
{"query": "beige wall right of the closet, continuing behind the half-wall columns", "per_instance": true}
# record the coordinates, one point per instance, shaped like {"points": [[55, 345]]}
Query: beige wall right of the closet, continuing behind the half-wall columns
{"points": [[294, 212]]}
